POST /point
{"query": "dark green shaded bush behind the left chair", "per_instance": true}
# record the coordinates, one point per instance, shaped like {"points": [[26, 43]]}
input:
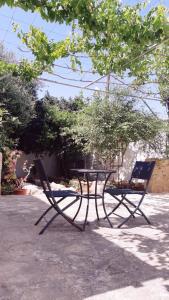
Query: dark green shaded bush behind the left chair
{"points": [[46, 130]]}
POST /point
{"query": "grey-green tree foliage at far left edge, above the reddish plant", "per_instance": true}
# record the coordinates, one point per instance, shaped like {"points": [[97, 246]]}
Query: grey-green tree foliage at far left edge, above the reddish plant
{"points": [[17, 99]]}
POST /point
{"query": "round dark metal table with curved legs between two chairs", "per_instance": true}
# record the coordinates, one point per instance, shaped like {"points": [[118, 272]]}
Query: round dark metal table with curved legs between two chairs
{"points": [[95, 195]]}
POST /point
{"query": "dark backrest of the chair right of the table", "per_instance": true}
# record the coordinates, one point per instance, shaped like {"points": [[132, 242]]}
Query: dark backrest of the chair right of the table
{"points": [[143, 170]]}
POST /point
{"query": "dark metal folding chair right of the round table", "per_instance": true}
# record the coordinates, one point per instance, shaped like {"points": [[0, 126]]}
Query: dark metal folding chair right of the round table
{"points": [[142, 170]]}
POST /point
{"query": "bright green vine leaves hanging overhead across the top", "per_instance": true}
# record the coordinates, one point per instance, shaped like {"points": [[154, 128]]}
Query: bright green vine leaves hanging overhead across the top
{"points": [[117, 37]]}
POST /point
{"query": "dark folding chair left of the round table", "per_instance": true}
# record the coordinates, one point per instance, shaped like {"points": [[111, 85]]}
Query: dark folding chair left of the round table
{"points": [[52, 197]]}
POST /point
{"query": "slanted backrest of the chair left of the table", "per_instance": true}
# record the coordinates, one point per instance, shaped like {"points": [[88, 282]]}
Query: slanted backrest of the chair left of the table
{"points": [[42, 175]]}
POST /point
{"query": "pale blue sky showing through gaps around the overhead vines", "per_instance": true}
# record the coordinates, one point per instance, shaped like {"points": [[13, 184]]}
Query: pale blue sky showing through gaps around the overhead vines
{"points": [[57, 32]]}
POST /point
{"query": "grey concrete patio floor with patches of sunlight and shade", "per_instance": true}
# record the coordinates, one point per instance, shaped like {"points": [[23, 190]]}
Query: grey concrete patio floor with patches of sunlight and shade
{"points": [[101, 263]]}
